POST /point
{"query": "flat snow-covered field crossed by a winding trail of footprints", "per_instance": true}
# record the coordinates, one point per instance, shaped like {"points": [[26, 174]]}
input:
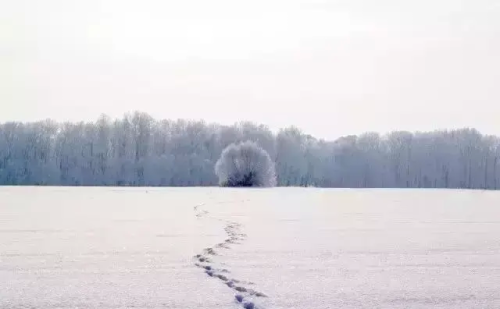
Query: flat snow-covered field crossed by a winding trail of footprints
{"points": [[281, 248]]}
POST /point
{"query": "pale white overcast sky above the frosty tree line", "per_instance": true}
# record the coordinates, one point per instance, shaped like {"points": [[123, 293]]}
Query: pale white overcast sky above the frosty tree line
{"points": [[328, 67]]}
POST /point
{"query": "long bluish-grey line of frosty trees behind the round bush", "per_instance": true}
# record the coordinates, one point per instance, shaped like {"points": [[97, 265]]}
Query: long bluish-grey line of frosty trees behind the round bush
{"points": [[138, 150]]}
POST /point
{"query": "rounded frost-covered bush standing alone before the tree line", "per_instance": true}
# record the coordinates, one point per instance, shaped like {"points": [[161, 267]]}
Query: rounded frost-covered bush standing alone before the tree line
{"points": [[245, 165]]}
